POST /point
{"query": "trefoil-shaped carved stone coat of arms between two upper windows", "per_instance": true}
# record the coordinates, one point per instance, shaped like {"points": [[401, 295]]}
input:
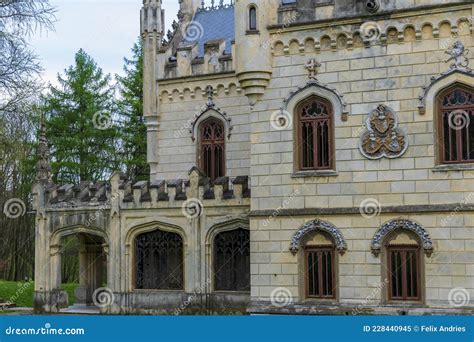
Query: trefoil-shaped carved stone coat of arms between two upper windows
{"points": [[383, 138]]}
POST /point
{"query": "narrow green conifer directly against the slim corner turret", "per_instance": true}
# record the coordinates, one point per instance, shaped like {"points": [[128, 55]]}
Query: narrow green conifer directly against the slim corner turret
{"points": [[133, 129]]}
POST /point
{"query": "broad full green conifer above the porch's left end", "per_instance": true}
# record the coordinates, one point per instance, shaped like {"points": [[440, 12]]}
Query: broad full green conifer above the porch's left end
{"points": [[82, 136]]}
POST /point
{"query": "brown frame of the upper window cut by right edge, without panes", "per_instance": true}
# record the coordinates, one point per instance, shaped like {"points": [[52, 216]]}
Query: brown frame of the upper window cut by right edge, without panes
{"points": [[441, 112]]}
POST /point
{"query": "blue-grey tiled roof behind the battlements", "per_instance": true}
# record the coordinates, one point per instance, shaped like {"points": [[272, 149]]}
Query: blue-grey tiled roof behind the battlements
{"points": [[217, 23]]}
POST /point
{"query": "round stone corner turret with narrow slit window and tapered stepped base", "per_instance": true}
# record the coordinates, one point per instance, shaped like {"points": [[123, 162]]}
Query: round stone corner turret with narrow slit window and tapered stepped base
{"points": [[253, 53]]}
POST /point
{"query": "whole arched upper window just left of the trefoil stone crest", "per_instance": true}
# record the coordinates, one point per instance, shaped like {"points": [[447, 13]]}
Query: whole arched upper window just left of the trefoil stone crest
{"points": [[314, 143]]}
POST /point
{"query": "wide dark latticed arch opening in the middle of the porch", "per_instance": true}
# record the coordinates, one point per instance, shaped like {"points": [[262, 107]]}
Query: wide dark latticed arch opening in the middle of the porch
{"points": [[159, 261]]}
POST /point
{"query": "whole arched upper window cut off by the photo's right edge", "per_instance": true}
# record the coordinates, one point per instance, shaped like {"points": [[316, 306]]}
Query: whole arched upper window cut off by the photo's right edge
{"points": [[456, 125]]}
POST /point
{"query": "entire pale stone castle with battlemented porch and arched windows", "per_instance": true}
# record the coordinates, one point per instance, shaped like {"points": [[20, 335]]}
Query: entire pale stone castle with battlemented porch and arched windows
{"points": [[306, 156]]}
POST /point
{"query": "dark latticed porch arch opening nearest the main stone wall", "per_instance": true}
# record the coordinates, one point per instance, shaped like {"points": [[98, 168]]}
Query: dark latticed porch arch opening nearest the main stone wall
{"points": [[232, 261]]}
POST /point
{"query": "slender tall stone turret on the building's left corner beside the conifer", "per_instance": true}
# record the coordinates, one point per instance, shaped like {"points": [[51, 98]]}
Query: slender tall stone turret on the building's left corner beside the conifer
{"points": [[152, 28]]}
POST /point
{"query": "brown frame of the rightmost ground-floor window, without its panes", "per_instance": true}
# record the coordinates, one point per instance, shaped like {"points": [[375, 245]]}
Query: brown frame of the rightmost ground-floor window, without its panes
{"points": [[404, 249]]}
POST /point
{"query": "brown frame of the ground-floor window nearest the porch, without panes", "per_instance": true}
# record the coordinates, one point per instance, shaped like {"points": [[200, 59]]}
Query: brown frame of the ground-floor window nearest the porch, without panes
{"points": [[320, 249]]}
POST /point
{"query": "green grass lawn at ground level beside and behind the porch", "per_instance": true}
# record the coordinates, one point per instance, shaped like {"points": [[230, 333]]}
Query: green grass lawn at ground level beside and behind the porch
{"points": [[21, 293]]}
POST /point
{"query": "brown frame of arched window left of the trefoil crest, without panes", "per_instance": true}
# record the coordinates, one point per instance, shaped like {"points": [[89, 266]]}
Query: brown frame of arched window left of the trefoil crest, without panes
{"points": [[329, 119]]}
